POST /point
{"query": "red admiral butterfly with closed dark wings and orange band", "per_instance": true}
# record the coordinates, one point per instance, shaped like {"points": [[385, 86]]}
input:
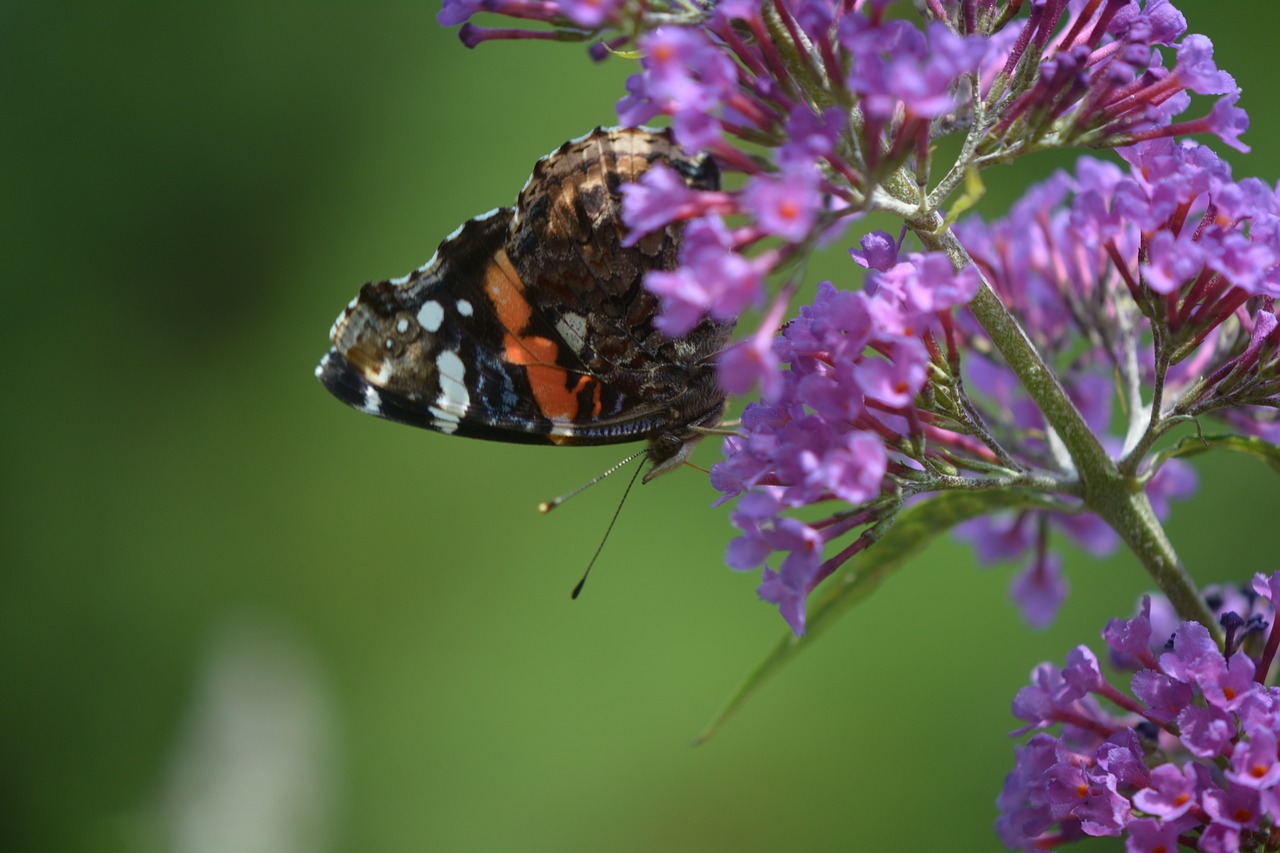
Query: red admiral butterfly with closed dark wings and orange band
{"points": [[532, 323]]}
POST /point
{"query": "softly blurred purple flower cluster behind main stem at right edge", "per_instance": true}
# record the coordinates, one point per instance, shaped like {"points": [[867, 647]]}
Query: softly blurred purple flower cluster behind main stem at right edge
{"points": [[1168, 273]]}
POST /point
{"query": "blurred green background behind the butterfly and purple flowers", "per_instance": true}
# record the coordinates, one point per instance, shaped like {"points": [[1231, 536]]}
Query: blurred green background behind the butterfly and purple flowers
{"points": [[239, 617]]}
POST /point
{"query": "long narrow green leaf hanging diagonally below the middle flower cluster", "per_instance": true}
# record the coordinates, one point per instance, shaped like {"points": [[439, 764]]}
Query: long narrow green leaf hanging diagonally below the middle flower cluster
{"points": [[913, 530]]}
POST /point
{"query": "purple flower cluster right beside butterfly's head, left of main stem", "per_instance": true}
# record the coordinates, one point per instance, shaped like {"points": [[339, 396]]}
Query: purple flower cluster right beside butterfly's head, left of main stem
{"points": [[842, 418]]}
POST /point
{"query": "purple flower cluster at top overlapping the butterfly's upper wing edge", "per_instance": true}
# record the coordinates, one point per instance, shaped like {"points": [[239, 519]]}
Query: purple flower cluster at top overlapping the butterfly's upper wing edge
{"points": [[714, 86]]}
